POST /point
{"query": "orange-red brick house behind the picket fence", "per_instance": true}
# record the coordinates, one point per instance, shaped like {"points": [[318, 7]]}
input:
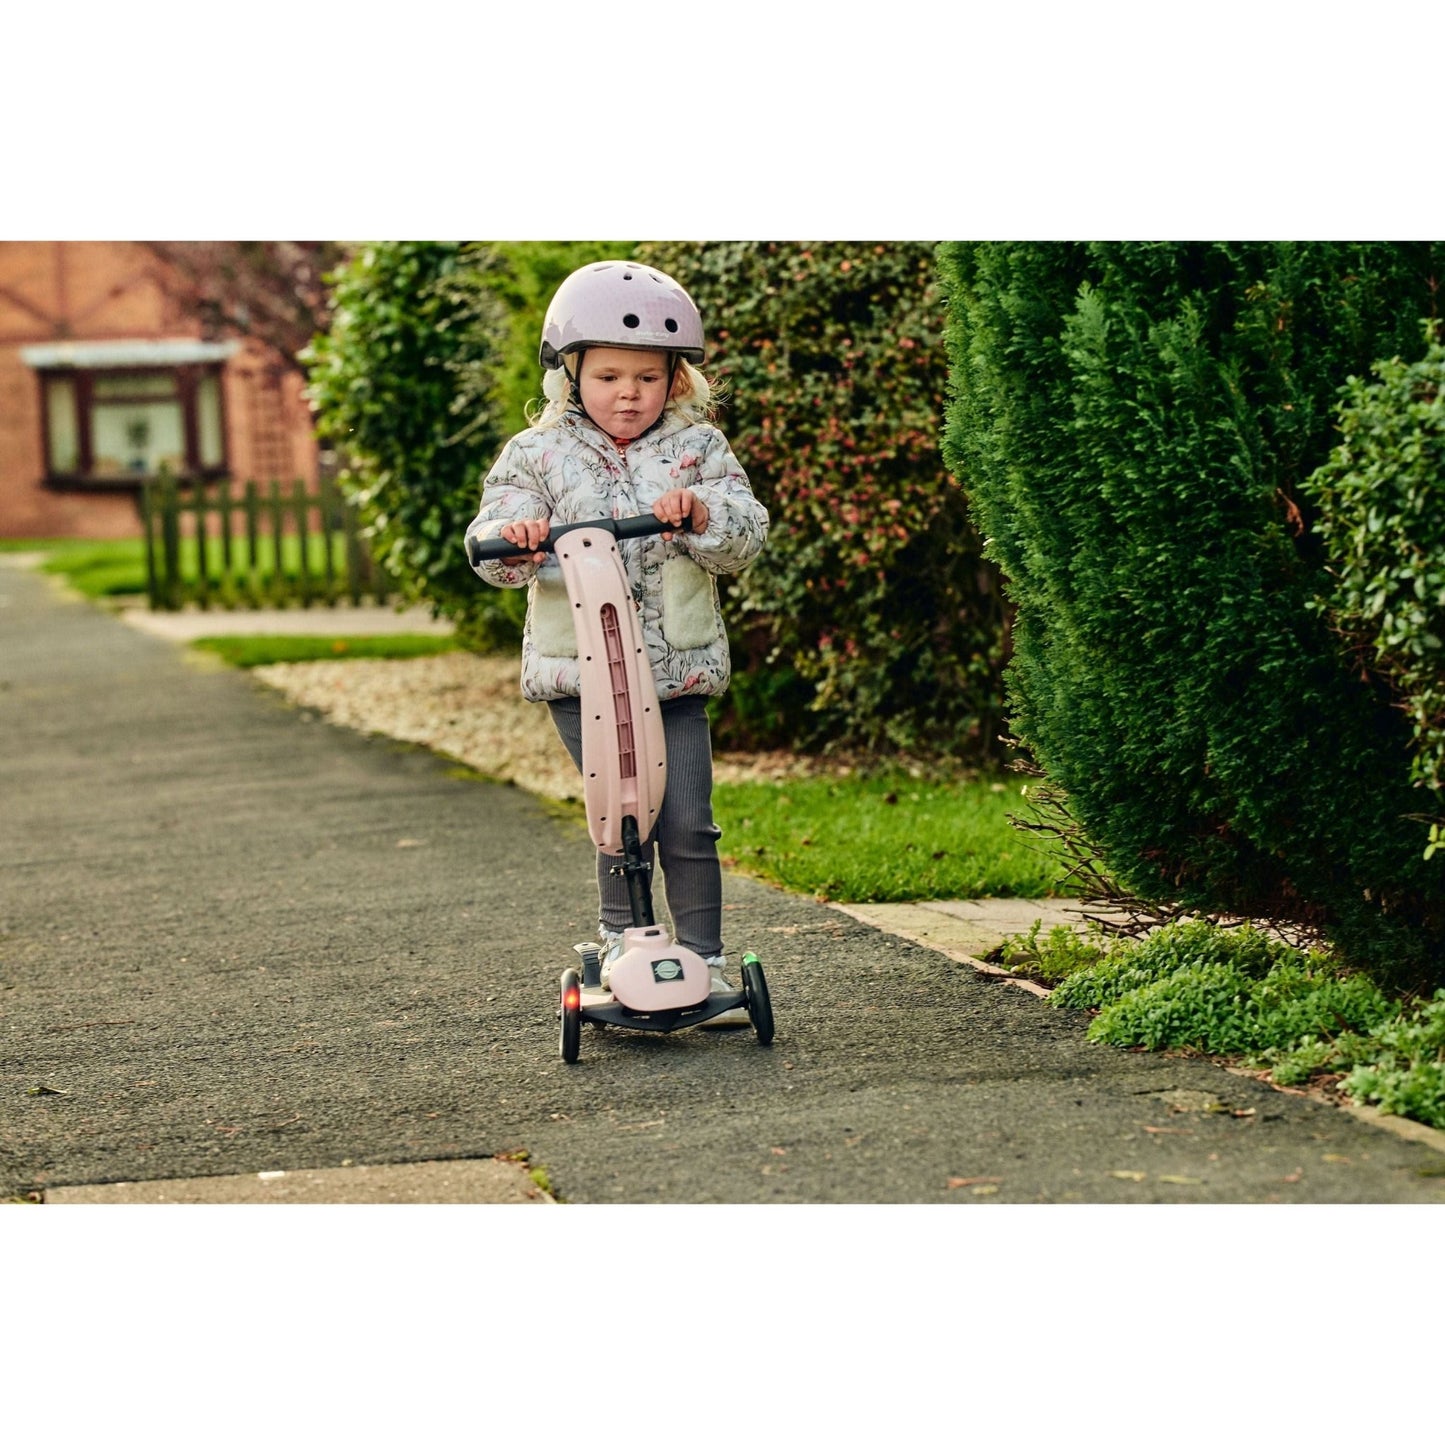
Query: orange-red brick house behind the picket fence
{"points": [[105, 378]]}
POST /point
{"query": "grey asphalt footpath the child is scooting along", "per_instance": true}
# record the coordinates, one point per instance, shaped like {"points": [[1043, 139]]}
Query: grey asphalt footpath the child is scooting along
{"points": [[249, 956]]}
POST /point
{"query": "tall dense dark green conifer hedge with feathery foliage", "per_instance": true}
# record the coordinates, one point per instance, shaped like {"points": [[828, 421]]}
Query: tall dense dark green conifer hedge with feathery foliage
{"points": [[1134, 424]]}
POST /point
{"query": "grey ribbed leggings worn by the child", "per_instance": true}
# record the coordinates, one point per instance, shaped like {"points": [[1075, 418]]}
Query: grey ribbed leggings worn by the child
{"points": [[686, 839]]}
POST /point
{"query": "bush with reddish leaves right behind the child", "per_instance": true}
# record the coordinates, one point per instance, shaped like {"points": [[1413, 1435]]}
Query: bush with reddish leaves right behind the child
{"points": [[872, 619]]}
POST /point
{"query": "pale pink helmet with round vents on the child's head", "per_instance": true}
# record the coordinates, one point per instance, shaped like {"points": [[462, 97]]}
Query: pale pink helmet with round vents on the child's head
{"points": [[621, 304]]}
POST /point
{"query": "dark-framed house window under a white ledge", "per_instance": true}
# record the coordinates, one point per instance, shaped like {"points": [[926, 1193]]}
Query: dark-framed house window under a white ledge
{"points": [[118, 414]]}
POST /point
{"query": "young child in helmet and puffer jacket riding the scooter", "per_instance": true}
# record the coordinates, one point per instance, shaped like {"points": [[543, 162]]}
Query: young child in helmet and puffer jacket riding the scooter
{"points": [[626, 431]]}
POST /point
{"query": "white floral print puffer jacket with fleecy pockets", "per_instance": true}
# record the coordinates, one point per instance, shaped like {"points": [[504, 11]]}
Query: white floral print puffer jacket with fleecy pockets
{"points": [[573, 472]]}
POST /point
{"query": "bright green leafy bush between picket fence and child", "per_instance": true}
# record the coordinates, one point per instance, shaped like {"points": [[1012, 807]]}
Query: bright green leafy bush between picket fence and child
{"points": [[402, 385]]}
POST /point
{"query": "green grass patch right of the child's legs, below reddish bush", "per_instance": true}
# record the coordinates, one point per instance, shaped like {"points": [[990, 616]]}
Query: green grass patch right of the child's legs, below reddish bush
{"points": [[888, 839]]}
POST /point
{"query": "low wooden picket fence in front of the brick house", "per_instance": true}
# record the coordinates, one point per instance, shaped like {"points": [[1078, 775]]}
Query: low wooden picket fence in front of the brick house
{"points": [[220, 545]]}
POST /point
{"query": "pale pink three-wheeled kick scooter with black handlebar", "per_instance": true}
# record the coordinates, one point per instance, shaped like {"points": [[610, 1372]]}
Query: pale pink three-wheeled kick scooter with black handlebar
{"points": [[655, 983]]}
